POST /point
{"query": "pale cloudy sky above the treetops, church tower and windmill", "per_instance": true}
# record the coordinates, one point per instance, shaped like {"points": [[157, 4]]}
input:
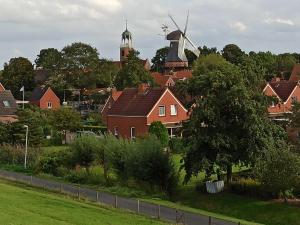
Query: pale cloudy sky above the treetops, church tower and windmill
{"points": [[27, 26]]}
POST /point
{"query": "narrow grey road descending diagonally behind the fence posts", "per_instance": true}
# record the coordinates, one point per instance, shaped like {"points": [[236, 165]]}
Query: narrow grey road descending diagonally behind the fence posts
{"points": [[168, 214]]}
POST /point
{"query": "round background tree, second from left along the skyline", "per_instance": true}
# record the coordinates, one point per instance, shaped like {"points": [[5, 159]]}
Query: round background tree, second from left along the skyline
{"points": [[49, 59]]}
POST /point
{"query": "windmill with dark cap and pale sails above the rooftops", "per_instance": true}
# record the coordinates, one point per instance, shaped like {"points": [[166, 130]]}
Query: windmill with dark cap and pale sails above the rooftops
{"points": [[176, 57]]}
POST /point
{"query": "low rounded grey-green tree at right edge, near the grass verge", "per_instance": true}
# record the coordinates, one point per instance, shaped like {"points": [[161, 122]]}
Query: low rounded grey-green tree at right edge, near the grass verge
{"points": [[279, 169]]}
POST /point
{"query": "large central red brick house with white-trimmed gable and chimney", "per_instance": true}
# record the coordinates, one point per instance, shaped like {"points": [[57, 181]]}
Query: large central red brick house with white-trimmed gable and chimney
{"points": [[136, 108]]}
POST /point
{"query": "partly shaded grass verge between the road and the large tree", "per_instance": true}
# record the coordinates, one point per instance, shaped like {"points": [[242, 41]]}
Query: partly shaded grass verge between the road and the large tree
{"points": [[224, 205]]}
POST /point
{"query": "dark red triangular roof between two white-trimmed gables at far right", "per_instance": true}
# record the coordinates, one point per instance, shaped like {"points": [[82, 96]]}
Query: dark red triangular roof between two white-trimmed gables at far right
{"points": [[283, 88]]}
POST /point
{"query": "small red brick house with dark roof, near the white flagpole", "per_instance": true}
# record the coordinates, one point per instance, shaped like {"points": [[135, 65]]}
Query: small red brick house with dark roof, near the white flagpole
{"points": [[45, 98]]}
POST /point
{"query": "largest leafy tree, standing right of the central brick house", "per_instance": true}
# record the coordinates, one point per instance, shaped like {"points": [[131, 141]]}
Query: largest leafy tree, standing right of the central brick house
{"points": [[229, 123]]}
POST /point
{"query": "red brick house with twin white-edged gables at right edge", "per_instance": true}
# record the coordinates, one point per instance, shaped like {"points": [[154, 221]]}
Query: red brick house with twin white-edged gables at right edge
{"points": [[287, 92]]}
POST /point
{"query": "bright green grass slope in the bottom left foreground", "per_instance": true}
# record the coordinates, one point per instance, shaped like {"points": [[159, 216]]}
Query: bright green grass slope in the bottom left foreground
{"points": [[21, 205]]}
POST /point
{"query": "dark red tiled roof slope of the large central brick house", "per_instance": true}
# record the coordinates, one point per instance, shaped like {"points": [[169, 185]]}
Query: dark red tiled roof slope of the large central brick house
{"points": [[132, 103]]}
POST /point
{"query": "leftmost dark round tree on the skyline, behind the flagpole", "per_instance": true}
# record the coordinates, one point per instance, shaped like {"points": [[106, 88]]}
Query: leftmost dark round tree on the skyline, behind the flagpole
{"points": [[17, 73]]}
